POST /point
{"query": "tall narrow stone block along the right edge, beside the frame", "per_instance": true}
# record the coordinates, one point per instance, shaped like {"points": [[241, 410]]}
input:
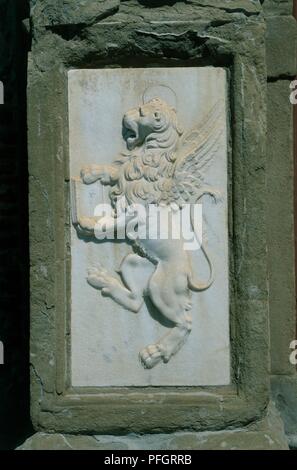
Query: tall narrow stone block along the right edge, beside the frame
{"points": [[280, 222]]}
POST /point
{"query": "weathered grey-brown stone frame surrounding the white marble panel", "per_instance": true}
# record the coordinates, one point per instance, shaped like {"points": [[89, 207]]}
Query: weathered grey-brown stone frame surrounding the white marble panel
{"points": [[55, 406]]}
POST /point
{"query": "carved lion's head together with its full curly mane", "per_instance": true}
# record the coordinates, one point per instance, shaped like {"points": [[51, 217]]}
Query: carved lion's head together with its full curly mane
{"points": [[152, 134]]}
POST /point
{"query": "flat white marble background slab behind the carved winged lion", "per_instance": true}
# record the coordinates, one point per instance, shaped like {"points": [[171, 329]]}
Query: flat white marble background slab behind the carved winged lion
{"points": [[105, 338]]}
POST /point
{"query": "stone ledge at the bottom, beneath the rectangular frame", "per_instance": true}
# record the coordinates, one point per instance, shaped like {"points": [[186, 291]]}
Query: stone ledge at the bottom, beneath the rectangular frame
{"points": [[267, 434]]}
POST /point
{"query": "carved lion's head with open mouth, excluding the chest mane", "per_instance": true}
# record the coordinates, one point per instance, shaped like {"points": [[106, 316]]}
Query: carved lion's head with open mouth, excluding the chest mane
{"points": [[154, 124]]}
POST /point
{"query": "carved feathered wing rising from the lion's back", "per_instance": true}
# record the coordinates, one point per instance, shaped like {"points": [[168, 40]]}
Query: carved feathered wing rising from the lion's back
{"points": [[196, 153]]}
